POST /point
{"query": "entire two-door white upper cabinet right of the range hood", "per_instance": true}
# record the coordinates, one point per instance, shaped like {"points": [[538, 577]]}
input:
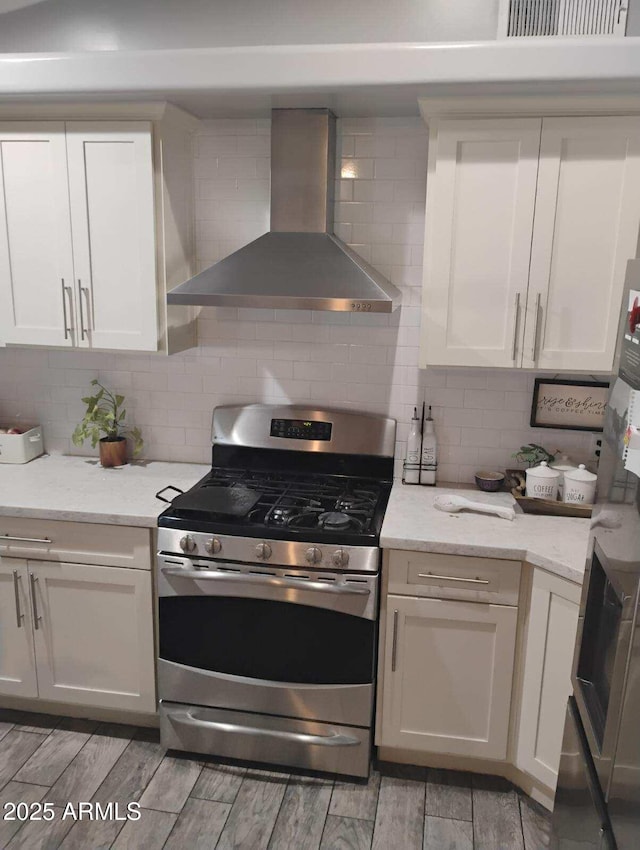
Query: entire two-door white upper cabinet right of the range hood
{"points": [[529, 226]]}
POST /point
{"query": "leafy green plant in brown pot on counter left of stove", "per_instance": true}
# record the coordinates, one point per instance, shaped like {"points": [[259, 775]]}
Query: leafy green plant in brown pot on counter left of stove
{"points": [[105, 416]]}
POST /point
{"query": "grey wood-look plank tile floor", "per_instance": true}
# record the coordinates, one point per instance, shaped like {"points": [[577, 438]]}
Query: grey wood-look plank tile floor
{"points": [[196, 803]]}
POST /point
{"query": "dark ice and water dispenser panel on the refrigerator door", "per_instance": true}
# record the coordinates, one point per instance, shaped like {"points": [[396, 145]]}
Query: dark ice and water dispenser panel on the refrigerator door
{"points": [[603, 641]]}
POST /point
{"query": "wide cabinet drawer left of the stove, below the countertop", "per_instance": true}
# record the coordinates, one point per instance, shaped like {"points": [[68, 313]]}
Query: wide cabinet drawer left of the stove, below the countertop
{"points": [[75, 542]]}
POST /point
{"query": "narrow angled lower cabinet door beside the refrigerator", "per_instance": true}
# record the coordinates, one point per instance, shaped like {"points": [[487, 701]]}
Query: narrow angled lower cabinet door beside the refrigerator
{"points": [[546, 681]]}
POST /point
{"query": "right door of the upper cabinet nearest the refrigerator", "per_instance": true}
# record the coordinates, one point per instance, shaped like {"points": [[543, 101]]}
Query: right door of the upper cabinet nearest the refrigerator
{"points": [[585, 230]]}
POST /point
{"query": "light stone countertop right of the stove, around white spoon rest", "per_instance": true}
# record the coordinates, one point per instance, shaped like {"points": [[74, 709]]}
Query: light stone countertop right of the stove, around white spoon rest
{"points": [[557, 544]]}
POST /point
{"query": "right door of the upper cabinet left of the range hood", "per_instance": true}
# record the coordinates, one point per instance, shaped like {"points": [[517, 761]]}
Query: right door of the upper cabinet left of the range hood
{"points": [[112, 214]]}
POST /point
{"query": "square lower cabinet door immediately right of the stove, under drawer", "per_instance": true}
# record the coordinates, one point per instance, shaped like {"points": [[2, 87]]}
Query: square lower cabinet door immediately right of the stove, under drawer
{"points": [[448, 668]]}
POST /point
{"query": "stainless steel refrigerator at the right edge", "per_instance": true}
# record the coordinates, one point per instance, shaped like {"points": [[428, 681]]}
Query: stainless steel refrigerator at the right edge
{"points": [[598, 796]]}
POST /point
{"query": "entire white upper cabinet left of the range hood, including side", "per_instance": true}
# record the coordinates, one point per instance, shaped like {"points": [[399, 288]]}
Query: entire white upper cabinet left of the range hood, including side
{"points": [[87, 245]]}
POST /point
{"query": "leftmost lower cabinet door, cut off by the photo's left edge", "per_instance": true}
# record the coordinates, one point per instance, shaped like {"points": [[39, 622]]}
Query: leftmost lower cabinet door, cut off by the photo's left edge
{"points": [[17, 658]]}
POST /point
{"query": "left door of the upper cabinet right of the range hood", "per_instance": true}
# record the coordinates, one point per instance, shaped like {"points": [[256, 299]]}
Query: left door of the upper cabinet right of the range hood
{"points": [[481, 189]]}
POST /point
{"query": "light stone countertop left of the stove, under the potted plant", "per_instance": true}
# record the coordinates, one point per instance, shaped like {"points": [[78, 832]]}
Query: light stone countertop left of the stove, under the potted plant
{"points": [[78, 489]]}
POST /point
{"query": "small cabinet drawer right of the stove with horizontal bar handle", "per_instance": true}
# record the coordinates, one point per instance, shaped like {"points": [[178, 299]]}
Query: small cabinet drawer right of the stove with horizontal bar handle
{"points": [[454, 577]]}
